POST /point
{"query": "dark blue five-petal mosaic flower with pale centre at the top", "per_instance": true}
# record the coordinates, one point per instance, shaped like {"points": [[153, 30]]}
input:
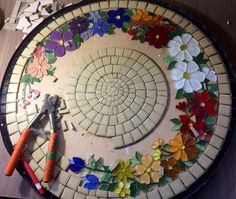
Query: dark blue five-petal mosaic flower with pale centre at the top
{"points": [[118, 17]]}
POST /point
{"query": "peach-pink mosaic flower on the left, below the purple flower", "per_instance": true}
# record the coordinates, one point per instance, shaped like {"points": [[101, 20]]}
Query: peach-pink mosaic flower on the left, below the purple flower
{"points": [[38, 68]]}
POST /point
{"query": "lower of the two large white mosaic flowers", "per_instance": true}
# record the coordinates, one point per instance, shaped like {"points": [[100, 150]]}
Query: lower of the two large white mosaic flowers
{"points": [[187, 76]]}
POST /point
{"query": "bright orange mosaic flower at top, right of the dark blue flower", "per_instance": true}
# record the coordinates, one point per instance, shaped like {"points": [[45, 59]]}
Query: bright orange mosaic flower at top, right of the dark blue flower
{"points": [[141, 18]]}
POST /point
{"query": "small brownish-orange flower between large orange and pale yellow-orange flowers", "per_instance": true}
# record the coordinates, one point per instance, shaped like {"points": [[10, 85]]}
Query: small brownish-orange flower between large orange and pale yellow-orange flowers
{"points": [[171, 168]]}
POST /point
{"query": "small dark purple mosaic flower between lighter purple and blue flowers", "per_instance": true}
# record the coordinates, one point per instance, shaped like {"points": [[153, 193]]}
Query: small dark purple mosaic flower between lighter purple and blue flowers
{"points": [[79, 24]]}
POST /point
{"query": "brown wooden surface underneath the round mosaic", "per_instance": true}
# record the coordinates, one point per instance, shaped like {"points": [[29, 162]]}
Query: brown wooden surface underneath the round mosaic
{"points": [[214, 15]]}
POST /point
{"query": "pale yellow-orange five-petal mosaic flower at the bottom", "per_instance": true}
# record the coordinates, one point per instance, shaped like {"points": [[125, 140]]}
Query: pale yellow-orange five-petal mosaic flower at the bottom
{"points": [[148, 170]]}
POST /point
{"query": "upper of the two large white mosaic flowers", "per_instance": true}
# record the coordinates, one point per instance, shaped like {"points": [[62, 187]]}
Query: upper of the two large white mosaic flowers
{"points": [[184, 47]]}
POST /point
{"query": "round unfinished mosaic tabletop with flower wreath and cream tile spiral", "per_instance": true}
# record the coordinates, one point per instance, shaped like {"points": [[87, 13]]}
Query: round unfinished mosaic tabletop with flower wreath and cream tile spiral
{"points": [[145, 100]]}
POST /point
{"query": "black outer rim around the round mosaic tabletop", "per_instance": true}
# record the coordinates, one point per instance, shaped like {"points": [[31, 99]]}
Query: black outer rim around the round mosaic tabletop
{"points": [[232, 128]]}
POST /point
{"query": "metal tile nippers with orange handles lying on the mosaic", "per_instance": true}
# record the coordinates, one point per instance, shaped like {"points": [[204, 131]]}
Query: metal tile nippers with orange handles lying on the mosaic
{"points": [[48, 108]]}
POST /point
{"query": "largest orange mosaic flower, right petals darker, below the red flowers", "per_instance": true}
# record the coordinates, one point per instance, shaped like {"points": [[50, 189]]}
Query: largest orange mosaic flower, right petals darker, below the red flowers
{"points": [[183, 147]]}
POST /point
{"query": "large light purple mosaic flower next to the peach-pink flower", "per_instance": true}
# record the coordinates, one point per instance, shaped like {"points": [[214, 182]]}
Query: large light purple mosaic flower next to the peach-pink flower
{"points": [[60, 42]]}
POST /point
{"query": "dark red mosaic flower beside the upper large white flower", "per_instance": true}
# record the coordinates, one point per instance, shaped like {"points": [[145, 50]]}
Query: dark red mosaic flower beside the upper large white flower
{"points": [[157, 36]]}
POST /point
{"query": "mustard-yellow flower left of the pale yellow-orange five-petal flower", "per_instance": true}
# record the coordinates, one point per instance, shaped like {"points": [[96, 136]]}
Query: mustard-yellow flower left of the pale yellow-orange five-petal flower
{"points": [[123, 171]]}
